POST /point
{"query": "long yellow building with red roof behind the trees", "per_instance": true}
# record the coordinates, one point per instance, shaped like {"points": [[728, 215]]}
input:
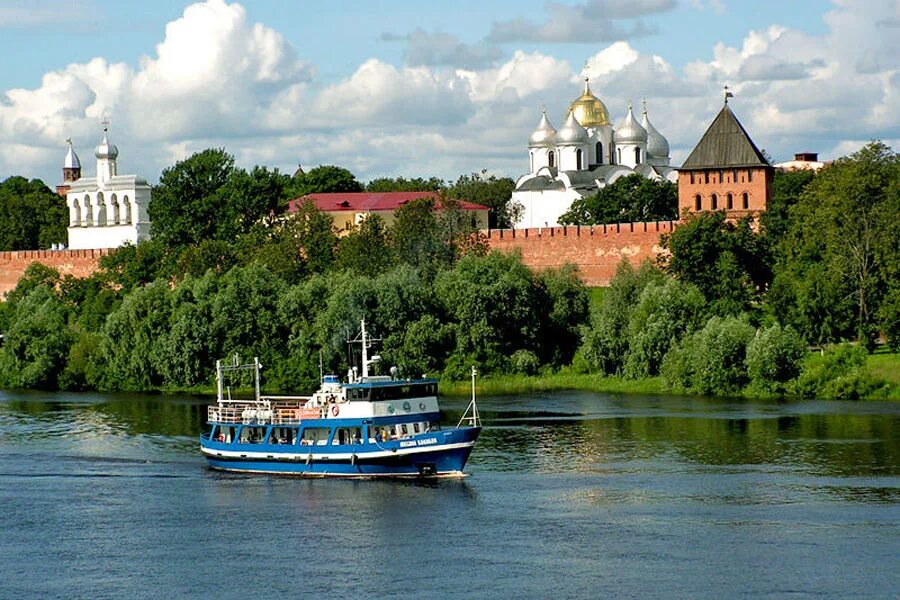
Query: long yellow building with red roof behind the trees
{"points": [[347, 209]]}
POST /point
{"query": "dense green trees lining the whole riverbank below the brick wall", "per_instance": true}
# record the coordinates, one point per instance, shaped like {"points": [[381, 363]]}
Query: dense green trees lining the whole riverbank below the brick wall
{"points": [[731, 307]]}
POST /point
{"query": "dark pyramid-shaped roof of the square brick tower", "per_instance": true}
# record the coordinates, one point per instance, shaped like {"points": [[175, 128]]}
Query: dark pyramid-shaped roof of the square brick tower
{"points": [[726, 144]]}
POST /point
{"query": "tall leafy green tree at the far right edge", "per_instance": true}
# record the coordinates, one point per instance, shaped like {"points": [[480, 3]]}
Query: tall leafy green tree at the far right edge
{"points": [[840, 253]]}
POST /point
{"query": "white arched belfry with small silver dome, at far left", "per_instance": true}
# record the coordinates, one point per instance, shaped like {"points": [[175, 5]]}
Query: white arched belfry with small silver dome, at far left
{"points": [[108, 210]]}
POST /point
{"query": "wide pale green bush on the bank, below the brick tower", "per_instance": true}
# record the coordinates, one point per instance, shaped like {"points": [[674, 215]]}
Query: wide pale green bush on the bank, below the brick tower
{"points": [[711, 361]]}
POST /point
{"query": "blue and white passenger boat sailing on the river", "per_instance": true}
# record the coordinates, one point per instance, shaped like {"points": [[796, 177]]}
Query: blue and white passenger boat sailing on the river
{"points": [[367, 427]]}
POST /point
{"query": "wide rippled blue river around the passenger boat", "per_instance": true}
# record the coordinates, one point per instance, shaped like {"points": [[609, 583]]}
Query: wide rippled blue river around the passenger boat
{"points": [[570, 495]]}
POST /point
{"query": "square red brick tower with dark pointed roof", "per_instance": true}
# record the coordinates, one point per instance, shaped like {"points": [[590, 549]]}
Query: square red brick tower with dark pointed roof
{"points": [[725, 171]]}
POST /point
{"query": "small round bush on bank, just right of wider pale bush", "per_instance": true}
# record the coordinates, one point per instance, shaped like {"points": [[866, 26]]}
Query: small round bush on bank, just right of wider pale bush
{"points": [[774, 358]]}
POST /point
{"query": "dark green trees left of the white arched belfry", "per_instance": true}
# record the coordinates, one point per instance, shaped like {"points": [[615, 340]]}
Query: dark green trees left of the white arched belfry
{"points": [[31, 215]]}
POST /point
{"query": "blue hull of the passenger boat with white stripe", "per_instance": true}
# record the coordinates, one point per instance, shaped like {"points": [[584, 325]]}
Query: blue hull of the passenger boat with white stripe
{"points": [[440, 454]]}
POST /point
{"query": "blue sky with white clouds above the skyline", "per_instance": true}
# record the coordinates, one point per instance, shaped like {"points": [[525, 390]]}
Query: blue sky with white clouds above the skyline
{"points": [[411, 88]]}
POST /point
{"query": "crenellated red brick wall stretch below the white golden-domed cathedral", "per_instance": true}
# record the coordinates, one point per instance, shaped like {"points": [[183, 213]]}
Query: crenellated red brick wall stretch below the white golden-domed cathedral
{"points": [[596, 250]]}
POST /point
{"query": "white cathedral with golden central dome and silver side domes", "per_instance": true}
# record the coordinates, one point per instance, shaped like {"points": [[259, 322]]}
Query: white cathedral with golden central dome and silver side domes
{"points": [[584, 155]]}
